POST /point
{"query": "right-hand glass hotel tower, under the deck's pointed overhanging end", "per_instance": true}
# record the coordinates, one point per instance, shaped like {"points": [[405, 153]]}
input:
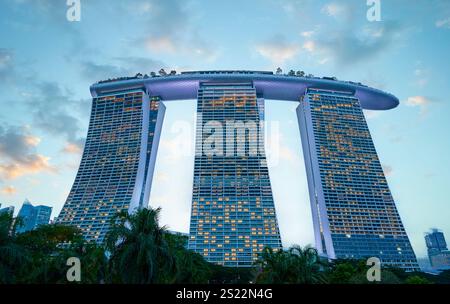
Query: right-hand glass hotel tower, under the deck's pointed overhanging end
{"points": [[354, 213]]}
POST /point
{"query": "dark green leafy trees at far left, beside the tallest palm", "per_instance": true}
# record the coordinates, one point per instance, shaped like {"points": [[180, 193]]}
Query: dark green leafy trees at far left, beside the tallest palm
{"points": [[40, 256]]}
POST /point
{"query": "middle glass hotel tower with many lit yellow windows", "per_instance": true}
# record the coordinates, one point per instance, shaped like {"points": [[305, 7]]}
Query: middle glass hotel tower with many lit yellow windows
{"points": [[233, 215]]}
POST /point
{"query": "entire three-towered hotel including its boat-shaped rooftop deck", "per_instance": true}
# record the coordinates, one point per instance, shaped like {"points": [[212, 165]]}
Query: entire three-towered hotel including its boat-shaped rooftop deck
{"points": [[233, 215]]}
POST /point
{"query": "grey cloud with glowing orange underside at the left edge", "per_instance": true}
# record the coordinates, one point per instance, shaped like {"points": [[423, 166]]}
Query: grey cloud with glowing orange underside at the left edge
{"points": [[18, 154]]}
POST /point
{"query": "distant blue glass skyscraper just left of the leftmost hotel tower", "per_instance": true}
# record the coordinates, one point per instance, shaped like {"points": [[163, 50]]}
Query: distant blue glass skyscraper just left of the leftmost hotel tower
{"points": [[32, 216]]}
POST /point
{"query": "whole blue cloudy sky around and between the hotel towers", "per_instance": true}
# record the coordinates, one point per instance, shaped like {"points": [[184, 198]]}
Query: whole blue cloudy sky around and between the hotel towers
{"points": [[47, 65]]}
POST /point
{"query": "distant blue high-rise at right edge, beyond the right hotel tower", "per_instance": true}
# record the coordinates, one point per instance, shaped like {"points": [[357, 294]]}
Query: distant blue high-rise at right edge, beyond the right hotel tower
{"points": [[438, 253]]}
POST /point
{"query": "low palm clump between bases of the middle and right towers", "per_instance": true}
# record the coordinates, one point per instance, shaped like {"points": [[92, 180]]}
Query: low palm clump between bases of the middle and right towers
{"points": [[294, 266]]}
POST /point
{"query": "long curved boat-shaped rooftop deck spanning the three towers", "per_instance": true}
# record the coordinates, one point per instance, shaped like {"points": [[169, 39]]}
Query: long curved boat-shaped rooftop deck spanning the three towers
{"points": [[275, 87]]}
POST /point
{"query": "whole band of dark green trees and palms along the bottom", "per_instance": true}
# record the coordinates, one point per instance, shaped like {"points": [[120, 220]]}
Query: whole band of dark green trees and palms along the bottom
{"points": [[137, 250]]}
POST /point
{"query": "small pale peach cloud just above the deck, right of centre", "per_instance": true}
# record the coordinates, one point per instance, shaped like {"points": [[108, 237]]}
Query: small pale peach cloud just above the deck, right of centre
{"points": [[278, 50]]}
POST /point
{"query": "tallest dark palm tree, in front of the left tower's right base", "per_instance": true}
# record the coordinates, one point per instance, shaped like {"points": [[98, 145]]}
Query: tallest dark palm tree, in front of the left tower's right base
{"points": [[139, 253]]}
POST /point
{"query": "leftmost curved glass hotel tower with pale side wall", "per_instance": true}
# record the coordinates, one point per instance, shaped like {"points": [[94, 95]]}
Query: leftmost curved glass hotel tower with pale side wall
{"points": [[118, 161]]}
